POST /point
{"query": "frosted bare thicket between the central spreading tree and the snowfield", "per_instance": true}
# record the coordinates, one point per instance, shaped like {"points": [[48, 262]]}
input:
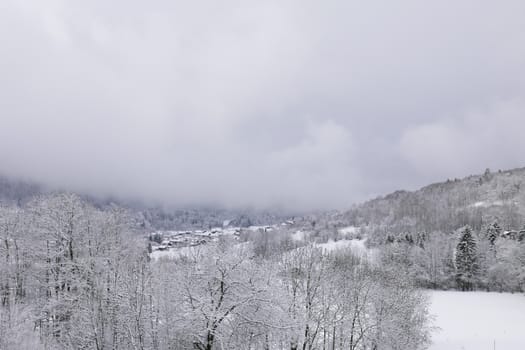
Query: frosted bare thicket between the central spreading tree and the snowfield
{"points": [[338, 300]]}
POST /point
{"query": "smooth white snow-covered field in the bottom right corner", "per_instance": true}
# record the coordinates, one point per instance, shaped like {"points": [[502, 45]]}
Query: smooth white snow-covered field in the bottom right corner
{"points": [[478, 321]]}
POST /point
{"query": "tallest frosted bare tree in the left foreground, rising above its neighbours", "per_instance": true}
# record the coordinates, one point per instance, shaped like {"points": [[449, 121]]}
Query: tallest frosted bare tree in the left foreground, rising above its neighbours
{"points": [[59, 233]]}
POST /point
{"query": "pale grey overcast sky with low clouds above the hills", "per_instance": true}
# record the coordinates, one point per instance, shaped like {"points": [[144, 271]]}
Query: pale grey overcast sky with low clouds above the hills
{"points": [[296, 103]]}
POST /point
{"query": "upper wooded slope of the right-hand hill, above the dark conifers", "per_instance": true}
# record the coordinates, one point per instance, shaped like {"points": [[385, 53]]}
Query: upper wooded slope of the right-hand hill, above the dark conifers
{"points": [[474, 201]]}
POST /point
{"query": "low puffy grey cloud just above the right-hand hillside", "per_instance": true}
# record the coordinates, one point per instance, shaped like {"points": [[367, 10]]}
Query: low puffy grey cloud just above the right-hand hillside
{"points": [[485, 136]]}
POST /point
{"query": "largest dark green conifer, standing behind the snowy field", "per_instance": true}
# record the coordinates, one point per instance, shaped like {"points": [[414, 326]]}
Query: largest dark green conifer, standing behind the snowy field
{"points": [[466, 260]]}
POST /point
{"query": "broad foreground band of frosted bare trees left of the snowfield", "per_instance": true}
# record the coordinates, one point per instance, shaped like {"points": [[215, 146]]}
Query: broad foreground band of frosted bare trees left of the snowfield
{"points": [[76, 277]]}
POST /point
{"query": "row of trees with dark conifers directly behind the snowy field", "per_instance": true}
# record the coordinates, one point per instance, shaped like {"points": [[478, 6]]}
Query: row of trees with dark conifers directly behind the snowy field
{"points": [[489, 259]]}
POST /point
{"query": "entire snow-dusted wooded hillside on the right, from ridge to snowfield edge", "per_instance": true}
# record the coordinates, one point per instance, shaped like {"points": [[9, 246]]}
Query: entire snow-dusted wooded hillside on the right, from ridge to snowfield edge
{"points": [[463, 234]]}
